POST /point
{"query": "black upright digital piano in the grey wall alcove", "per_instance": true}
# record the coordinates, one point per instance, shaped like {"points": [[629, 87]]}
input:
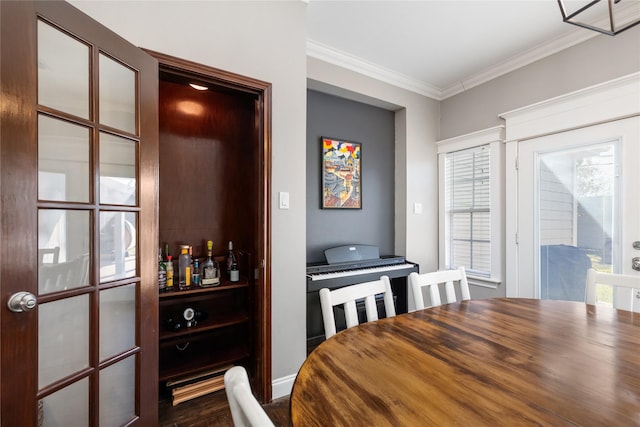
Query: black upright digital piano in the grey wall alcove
{"points": [[339, 274]]}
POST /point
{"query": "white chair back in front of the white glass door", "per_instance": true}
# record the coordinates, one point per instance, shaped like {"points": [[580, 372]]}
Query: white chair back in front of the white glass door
{"points": [[626, 289]]}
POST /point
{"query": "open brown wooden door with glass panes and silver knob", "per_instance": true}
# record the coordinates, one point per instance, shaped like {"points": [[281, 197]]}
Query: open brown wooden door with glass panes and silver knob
{"points": [[78, 147]]}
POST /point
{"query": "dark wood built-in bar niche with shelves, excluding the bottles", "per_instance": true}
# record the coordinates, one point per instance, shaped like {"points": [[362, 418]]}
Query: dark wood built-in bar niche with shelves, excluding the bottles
{"points": [[214, 159]]}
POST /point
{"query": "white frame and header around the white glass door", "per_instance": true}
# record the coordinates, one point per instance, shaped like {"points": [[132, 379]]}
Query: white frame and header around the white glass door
{"points": [[602, 103]]}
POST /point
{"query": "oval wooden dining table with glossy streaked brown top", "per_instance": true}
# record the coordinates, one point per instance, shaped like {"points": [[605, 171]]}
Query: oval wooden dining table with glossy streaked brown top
{"points": [[492, 362]]}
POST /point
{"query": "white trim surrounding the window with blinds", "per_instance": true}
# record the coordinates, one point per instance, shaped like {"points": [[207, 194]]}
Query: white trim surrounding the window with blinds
{"points": [[494, 138]]}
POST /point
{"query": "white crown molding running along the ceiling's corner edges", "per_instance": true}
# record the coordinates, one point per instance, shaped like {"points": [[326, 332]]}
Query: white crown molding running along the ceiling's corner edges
{"points": [[342, 59]]}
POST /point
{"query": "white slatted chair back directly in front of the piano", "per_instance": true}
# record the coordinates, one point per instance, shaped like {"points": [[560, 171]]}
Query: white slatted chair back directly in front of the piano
{"points": [[347, 297]]}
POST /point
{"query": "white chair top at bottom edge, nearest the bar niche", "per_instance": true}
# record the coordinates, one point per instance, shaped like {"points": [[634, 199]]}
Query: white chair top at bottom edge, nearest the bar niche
{"points": [[246, 411]]}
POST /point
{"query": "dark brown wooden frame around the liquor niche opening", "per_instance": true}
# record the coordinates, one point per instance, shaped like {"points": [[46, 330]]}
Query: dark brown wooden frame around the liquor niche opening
{"points": [[262, 363]]}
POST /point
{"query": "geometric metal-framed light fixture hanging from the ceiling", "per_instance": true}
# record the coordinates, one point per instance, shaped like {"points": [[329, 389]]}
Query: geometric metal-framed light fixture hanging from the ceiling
{"points": [[609, 17]]}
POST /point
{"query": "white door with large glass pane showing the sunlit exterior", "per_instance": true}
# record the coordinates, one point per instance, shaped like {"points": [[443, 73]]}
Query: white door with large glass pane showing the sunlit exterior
{"points": [[578, 206]]}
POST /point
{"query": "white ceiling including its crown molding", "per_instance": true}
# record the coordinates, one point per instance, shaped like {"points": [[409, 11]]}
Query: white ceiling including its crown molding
{"points": [[435, 47]]}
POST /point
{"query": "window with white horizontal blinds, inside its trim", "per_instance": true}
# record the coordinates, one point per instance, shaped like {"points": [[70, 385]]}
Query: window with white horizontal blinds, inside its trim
{"points": [[468, 210]]}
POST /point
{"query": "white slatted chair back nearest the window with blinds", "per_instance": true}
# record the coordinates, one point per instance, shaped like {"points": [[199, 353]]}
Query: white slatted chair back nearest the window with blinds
{"points": [[432, 280]]}
